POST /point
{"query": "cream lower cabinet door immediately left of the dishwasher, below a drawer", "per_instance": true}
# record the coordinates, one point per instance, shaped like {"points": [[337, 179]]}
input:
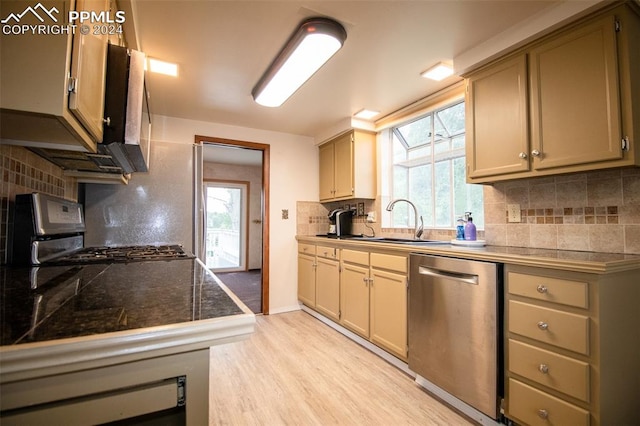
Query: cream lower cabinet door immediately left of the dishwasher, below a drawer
{"points": [[389, 311]]}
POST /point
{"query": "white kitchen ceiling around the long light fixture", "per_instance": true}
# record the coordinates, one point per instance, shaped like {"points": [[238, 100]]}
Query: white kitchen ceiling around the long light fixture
{"points": [[223, 47]]}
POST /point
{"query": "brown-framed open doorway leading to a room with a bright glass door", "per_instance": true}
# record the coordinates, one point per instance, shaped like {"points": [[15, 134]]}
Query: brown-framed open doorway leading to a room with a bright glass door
{"points": [[229, 165]]}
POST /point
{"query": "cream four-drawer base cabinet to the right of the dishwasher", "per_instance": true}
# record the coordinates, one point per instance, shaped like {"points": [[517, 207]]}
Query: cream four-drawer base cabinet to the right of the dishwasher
{"points": [[569, 355]]}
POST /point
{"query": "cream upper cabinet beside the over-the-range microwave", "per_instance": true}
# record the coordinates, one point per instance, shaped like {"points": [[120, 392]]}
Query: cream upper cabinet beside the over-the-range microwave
{"points": [[53, 84]]}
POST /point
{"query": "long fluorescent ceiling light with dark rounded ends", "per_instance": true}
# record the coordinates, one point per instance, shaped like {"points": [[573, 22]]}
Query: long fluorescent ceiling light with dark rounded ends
{"points": [[309, 47]]}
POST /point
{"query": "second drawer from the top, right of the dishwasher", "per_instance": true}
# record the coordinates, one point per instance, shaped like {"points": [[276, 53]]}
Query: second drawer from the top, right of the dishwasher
{"points": [[563, 329]]}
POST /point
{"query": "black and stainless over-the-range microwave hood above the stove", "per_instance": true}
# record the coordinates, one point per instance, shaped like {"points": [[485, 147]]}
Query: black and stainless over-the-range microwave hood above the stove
{"points": [[127, 127]]}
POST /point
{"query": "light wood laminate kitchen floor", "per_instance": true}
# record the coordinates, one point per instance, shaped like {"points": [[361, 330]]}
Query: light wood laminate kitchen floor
{"points": [[295, 370]]}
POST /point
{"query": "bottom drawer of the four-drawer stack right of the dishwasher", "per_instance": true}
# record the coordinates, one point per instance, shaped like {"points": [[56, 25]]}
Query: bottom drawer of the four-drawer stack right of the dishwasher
{"points": [[535, 407]]}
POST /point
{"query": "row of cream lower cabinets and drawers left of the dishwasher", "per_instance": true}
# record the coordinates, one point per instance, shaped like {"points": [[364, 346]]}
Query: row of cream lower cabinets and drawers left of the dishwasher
{"points": [[365, 292]]}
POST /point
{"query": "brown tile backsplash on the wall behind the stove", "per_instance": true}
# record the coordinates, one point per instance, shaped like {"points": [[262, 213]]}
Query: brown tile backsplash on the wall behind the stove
{"points": [[22, 172]]}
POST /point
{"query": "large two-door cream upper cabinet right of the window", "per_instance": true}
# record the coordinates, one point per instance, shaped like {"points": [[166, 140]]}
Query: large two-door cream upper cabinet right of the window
{"points": [[566, 103]]}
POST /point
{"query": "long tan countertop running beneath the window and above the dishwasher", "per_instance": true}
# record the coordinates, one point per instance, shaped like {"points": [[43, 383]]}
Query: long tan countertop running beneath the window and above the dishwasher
{"points": [[492, 254]]}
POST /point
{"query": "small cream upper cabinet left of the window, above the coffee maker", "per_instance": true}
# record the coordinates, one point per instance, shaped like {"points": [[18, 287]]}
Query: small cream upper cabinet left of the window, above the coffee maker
{"points": [[348, 167]]}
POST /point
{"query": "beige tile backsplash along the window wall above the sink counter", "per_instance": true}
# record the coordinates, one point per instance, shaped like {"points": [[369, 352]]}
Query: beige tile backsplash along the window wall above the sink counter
{"points": [[593, 211]]}
